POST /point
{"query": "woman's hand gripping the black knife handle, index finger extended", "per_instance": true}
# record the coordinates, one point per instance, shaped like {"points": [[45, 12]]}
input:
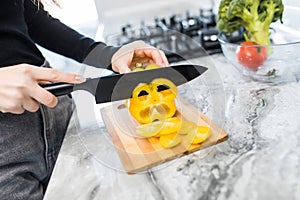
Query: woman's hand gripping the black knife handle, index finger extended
{"points": [[20, 88]]}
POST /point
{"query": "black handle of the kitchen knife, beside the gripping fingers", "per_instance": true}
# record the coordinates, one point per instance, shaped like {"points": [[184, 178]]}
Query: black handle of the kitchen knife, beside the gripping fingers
{"points": [[59, 89]]}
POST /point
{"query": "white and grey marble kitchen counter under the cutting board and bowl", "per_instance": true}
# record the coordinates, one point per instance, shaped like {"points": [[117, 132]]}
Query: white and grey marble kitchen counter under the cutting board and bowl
{"points": [[259, 160]]}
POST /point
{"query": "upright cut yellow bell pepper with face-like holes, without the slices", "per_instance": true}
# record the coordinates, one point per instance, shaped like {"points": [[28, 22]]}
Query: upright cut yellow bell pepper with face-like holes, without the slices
{"points": [[149, 104]]}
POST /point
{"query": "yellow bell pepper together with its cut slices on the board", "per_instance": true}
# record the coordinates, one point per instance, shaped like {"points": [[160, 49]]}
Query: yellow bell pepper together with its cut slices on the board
{"points": [[155, 109]]}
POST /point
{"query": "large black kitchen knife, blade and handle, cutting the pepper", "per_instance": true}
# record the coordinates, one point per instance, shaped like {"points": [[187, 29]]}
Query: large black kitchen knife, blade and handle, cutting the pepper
{"points": [[120, 86]]}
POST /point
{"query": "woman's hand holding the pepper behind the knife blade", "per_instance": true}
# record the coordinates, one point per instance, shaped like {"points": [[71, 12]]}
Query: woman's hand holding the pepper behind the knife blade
{"points": [[137, 52]]}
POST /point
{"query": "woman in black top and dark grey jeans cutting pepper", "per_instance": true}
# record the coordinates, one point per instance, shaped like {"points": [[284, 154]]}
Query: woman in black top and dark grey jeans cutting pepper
{"points": [[33, 121]]}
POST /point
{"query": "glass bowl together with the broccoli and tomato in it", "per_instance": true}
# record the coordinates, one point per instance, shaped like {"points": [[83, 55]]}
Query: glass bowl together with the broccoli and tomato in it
{"points": [[258, 49]]}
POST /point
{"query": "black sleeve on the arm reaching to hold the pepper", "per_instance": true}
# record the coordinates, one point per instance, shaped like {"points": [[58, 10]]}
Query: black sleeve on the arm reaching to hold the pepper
{"points": [[55, 36]]}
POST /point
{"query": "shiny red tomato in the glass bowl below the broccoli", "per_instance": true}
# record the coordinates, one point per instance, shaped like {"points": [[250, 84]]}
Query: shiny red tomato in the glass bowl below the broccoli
{"points": [[251, 55]]}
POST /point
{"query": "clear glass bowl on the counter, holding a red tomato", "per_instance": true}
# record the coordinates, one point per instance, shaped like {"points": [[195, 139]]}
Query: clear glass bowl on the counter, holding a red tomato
{"points": [[277, 62]]}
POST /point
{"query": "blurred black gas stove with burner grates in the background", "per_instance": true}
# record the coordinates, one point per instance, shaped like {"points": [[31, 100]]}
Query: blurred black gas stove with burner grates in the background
{"points": [[179, 37]]}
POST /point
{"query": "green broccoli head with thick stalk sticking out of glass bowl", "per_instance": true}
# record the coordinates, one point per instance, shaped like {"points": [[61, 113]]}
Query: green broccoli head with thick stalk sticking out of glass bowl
{"points": [[255, 16]]}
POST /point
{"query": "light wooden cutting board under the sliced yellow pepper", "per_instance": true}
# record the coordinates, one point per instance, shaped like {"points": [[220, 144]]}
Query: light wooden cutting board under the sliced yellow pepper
{"points": [[138, 154]]}
